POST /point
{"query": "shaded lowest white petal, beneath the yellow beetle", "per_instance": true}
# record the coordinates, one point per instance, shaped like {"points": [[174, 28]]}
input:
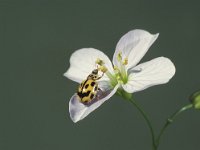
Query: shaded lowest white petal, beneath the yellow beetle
{"points": [[78, 111]]}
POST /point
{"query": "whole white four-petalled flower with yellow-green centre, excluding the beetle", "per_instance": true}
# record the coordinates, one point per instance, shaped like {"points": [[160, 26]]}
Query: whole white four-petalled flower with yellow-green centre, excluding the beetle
{"points": [[124, 74]]}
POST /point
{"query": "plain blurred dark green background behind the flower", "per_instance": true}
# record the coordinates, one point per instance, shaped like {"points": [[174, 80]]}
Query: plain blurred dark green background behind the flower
{"points": [[36, 40]]}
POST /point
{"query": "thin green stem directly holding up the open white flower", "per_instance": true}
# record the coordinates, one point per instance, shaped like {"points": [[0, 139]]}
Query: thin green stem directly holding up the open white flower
{"points": [[144, 114]]}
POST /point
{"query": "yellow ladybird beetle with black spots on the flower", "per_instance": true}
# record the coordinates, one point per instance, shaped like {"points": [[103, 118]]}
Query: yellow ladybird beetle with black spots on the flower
{"points": [[88, 89]]}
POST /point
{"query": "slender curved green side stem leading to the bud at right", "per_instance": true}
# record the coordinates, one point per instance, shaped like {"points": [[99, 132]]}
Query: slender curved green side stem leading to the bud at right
{"points": [[170, 120]]}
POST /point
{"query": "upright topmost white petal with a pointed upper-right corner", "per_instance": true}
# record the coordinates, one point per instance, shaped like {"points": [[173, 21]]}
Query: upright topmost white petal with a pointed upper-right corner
{"points": [[134, 46]]}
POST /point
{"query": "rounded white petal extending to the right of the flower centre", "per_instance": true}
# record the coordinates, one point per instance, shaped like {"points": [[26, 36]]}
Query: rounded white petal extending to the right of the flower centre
{"points": [[157, 71]]}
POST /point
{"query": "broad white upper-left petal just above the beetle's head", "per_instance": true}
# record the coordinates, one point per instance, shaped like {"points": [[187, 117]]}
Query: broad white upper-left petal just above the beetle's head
{"points": [[82, 62]]}
